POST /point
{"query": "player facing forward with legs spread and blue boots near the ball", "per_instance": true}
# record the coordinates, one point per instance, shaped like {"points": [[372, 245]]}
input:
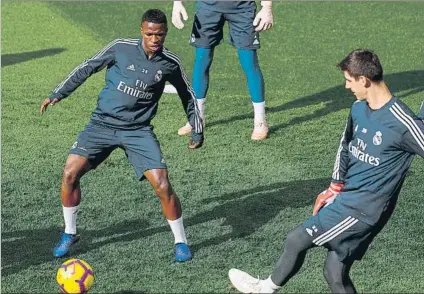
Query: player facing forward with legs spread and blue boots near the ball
{"points": [[137, 70]]}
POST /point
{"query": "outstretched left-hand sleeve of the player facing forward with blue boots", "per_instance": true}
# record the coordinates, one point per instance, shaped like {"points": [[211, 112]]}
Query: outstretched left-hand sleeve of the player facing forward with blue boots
{"points": [[81, 73]]}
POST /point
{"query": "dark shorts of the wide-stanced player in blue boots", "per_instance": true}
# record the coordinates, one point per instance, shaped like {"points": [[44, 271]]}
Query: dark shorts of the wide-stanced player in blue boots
{"points": [[141, 146]]}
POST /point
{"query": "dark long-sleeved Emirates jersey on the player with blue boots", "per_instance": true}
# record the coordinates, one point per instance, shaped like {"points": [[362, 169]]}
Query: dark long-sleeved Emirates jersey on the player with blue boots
{"points": [[134, 85]]}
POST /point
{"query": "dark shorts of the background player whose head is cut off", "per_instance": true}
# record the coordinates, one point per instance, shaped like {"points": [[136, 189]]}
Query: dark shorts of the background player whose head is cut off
{"points": [[208, 26]]}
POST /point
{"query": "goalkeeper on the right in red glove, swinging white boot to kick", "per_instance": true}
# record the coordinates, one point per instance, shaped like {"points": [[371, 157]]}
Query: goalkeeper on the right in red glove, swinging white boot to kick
{"points": [[382, 136]]}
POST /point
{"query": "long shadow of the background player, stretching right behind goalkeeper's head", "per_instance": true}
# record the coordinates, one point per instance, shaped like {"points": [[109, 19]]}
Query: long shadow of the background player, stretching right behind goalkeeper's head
{"points": [[335, 99]]}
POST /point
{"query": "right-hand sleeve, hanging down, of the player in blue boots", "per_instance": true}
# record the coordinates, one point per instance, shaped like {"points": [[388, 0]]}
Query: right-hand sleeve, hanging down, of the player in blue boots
{"points": [[179, 80]]}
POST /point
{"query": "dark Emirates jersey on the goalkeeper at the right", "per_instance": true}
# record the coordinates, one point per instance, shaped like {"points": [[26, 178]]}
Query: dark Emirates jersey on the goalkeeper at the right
{"points": [[376, 151]]}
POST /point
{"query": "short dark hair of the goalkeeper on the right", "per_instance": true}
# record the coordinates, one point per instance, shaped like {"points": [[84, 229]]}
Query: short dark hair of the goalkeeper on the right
{"points": [[362, 62]]}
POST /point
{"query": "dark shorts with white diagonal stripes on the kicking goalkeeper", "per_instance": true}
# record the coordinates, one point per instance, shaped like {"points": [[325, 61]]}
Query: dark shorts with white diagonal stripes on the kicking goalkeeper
{"points": [[345, 234]]}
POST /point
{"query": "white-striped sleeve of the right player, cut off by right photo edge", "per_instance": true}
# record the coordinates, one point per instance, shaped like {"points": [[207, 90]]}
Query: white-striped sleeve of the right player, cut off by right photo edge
{"points": [[413, 139]]}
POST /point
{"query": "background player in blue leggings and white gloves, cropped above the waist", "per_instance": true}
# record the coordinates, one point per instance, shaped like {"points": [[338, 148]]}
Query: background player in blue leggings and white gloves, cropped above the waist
{"points": [[207, 32]]}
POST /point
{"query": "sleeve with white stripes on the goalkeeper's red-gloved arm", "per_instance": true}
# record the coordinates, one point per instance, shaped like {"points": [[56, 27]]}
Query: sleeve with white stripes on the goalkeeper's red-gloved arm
{"points": [[342, 157]]}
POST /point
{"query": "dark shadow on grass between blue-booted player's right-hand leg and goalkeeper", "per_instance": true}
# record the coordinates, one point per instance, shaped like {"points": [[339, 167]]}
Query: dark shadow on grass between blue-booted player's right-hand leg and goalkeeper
{"points": [[247, 211]]}
